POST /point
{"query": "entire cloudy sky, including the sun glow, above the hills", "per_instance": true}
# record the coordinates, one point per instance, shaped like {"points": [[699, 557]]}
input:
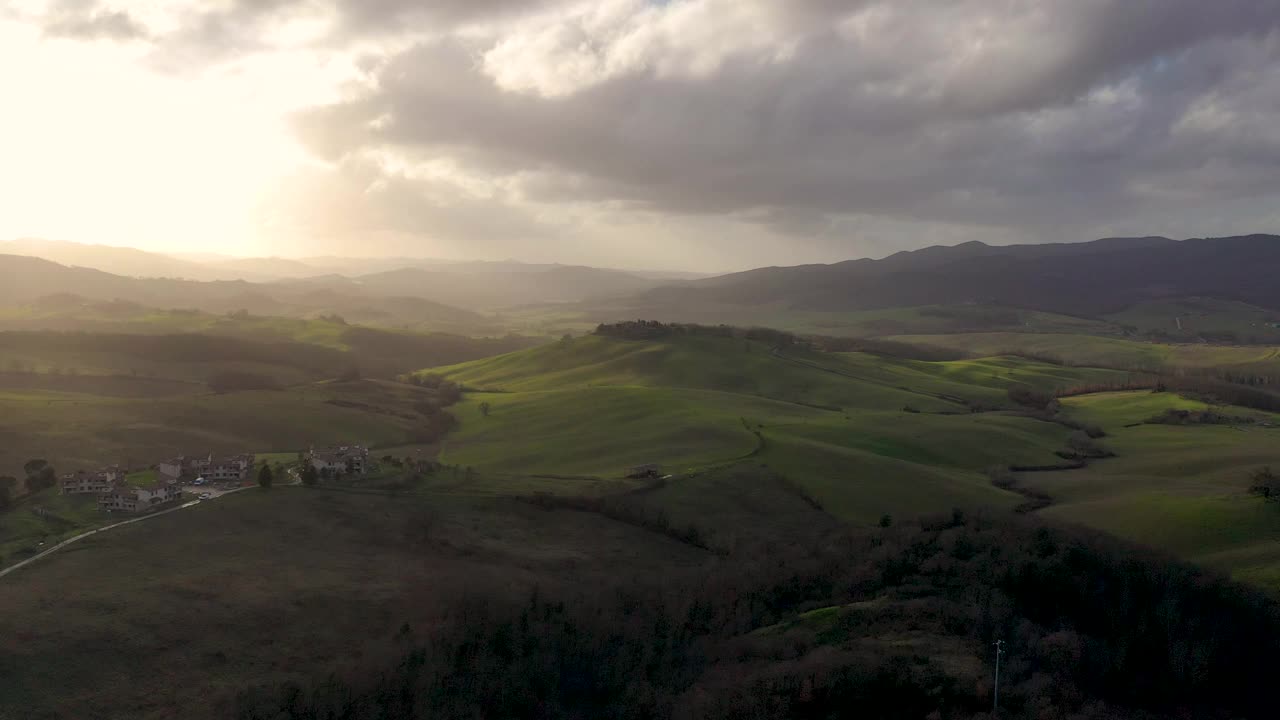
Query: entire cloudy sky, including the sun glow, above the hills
{"points": [[708, 135]]}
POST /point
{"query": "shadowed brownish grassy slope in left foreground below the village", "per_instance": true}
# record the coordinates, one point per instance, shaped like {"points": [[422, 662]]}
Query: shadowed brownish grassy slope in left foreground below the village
{"points": [[266, 587]]}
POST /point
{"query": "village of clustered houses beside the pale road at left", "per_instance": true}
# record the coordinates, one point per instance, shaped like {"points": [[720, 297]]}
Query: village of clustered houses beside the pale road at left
{"points": [[202, 476]]}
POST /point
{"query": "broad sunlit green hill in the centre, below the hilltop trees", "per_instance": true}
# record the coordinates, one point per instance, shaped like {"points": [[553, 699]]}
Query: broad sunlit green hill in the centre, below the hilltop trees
{"points": [[835, 423]]}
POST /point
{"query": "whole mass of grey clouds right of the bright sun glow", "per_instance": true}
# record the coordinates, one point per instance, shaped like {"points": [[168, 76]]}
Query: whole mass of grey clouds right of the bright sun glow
{"points": [[838, 126]]}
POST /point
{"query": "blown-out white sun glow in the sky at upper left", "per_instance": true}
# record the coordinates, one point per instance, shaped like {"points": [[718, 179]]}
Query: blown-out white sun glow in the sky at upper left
{"points": [[97, 148]]}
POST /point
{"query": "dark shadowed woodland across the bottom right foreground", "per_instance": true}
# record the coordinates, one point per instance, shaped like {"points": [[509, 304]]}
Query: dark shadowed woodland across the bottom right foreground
{"points": [[1092, 630]]}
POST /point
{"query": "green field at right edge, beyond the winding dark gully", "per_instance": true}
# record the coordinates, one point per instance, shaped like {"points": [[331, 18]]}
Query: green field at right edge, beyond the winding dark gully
{"points": [[1182, 489]]}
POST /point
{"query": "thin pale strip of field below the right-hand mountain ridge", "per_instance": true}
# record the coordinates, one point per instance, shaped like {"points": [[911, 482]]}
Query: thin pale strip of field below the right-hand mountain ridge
{"points": [[1104, 352]]}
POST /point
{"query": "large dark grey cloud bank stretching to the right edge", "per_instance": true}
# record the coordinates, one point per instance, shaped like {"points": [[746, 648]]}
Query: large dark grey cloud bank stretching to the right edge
{"points": [[1059, 113]]}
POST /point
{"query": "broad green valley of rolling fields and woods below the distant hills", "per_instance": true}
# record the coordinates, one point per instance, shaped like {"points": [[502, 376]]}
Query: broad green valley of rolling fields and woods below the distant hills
{"points": [[816, 479]]}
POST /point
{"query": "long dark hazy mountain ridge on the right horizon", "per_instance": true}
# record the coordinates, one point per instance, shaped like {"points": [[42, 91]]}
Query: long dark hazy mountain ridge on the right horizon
{"points": [[1087, 279]]}
